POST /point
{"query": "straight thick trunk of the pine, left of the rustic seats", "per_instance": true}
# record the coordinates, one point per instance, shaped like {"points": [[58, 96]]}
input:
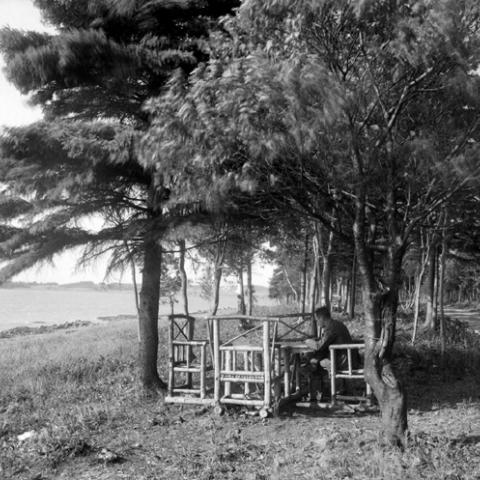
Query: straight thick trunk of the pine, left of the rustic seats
{"points": [[148, 315]]}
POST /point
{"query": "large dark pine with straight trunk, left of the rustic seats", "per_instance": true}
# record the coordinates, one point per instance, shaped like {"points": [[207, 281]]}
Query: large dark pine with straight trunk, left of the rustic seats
{"points": [[92, 79]]}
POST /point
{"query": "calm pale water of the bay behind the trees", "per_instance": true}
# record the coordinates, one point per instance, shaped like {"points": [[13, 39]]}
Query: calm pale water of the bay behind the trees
{"points": [[43, 306]]}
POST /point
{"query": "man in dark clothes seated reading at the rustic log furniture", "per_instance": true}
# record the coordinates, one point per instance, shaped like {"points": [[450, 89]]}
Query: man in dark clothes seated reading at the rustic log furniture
{"points": [[333, 333]]}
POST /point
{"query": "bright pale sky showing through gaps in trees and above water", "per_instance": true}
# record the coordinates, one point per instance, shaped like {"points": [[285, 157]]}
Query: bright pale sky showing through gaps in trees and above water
{"points": [[14, 111]]}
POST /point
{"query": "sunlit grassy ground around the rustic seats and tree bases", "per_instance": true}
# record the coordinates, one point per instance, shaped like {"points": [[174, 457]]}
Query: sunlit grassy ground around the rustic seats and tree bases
{"points": [[76, 391]]}
